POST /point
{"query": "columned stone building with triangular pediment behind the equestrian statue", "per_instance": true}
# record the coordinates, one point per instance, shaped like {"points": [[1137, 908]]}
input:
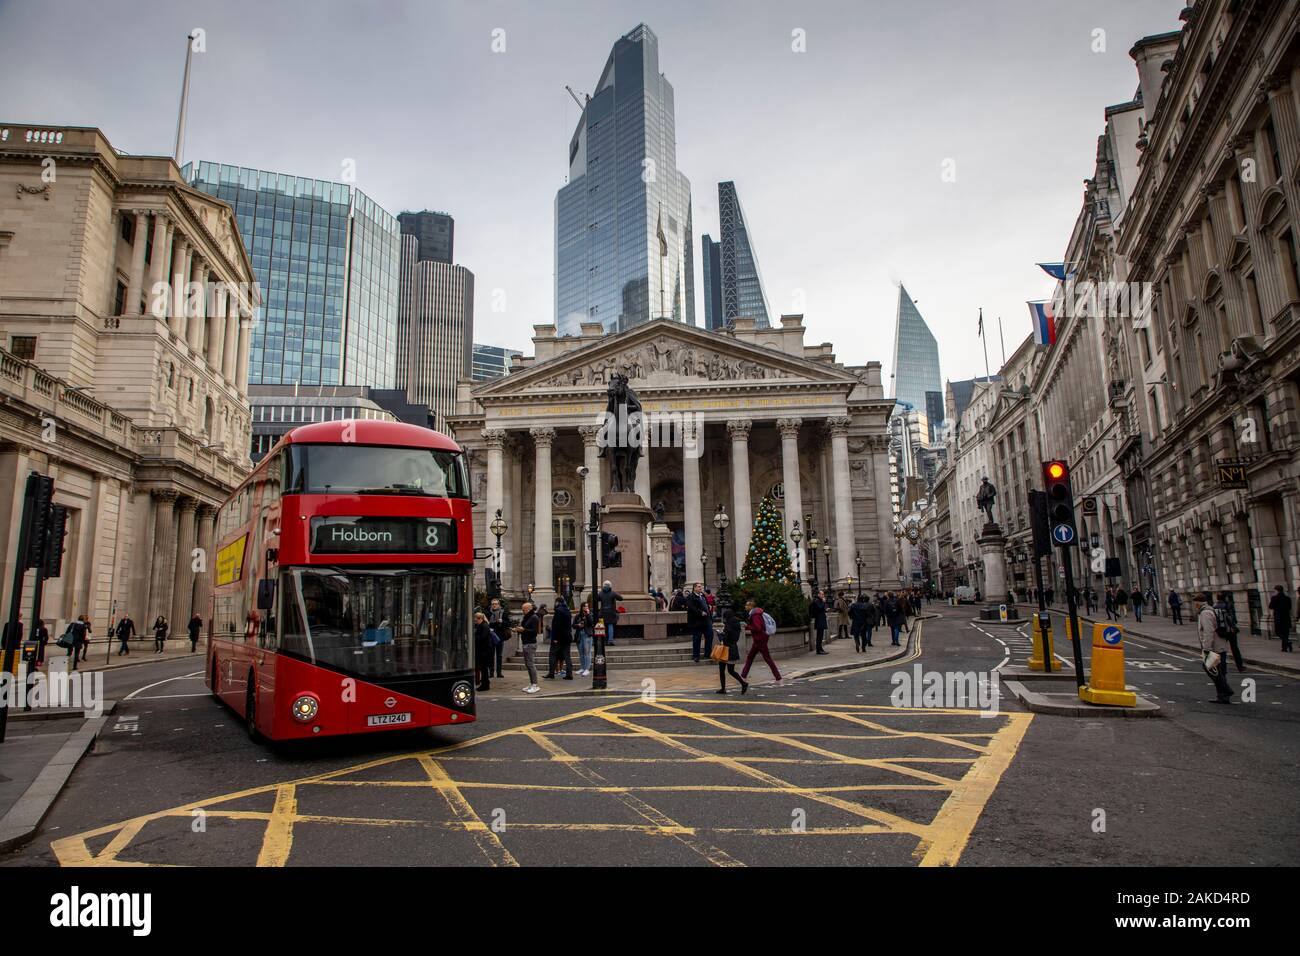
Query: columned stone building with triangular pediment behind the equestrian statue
{"points": [[775, 417]]}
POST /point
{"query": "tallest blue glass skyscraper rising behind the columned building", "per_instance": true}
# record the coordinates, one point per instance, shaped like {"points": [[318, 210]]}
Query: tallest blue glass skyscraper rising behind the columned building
{"points": [[623, 233]]}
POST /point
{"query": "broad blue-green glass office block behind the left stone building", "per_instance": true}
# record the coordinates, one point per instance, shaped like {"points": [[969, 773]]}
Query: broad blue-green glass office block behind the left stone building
{"points": [[327, 258]]}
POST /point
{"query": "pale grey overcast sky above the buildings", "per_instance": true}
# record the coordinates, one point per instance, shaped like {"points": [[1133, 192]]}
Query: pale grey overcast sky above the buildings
{"points": [[838, 153]]}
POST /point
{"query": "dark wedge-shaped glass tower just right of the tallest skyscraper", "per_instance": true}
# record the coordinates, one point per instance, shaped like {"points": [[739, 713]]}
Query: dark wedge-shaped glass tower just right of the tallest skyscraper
{"points": [[734, 287]]}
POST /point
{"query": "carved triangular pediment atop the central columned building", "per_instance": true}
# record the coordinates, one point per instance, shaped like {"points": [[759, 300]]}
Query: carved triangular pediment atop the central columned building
{"points": [[665, 354]]}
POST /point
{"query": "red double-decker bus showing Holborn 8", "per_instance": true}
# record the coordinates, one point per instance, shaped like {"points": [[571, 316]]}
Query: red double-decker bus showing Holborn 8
{"points": [[344, 585]]}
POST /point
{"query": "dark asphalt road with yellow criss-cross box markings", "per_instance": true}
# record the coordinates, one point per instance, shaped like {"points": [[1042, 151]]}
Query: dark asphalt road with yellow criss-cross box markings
{"points": [[824, 771]]}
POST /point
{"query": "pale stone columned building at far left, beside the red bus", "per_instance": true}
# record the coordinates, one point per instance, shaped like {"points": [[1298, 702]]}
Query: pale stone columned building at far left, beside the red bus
{"points": [[127, 301]]}
